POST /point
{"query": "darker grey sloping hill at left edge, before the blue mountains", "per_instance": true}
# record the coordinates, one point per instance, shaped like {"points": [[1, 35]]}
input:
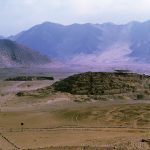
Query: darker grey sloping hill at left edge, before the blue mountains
{"points": [[16, 55]]}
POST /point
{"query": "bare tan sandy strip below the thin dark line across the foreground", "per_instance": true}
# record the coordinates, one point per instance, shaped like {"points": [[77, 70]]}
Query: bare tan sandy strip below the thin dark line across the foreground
{"points": [[73, 137]]}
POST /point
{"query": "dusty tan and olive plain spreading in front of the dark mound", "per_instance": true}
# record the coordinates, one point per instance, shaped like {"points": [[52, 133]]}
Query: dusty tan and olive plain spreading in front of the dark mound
{"points": [[55, 122]]}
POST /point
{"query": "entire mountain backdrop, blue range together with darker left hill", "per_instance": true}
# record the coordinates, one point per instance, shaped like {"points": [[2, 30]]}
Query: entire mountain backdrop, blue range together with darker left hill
{"points": [[78, 44]]}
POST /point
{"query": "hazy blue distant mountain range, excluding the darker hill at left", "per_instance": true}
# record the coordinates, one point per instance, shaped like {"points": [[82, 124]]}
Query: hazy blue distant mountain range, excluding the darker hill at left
{"points": [[90, 43]]}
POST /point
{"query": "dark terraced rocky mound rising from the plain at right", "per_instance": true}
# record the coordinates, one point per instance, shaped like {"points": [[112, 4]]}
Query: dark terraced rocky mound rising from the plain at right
{"points": [[103, 83]]}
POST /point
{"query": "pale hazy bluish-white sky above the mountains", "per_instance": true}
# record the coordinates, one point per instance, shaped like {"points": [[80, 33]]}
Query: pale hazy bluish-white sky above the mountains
{"points": [[18, 15]]}
